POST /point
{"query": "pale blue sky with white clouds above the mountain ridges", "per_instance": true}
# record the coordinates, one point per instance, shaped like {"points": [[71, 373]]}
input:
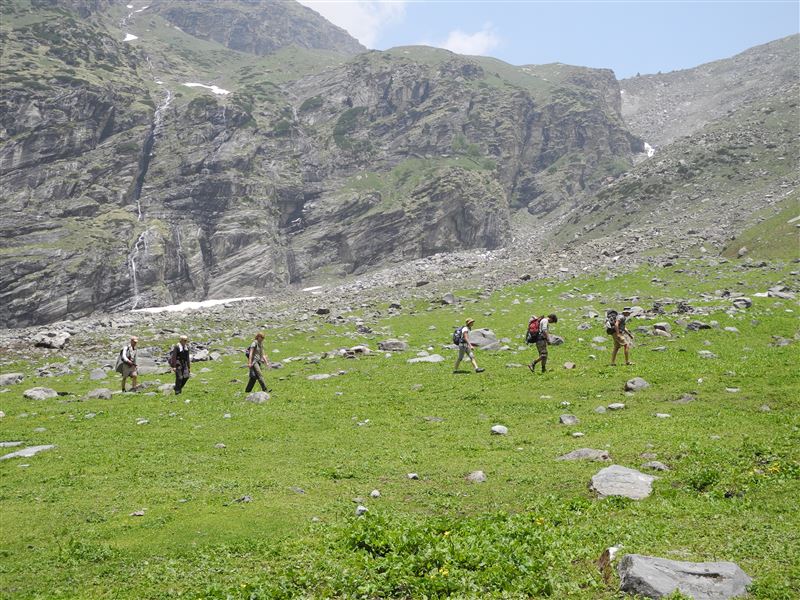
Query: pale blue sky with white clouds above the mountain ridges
{"points": [[630, 37]]}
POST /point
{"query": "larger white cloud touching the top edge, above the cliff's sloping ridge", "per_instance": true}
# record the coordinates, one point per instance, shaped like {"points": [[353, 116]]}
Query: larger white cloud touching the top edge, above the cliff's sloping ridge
{"points": [[364, 20]]}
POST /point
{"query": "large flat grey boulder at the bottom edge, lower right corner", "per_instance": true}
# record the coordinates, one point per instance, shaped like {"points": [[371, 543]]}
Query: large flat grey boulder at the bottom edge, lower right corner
{"points": [[652, 577]]}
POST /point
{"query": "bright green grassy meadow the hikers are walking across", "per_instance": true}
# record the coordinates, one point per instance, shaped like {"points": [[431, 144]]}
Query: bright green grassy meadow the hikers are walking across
{"points": [[532, 530]]}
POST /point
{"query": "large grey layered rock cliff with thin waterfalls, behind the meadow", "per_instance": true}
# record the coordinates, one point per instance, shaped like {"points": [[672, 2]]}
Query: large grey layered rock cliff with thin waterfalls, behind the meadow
{"points": [[336, 162]]}
